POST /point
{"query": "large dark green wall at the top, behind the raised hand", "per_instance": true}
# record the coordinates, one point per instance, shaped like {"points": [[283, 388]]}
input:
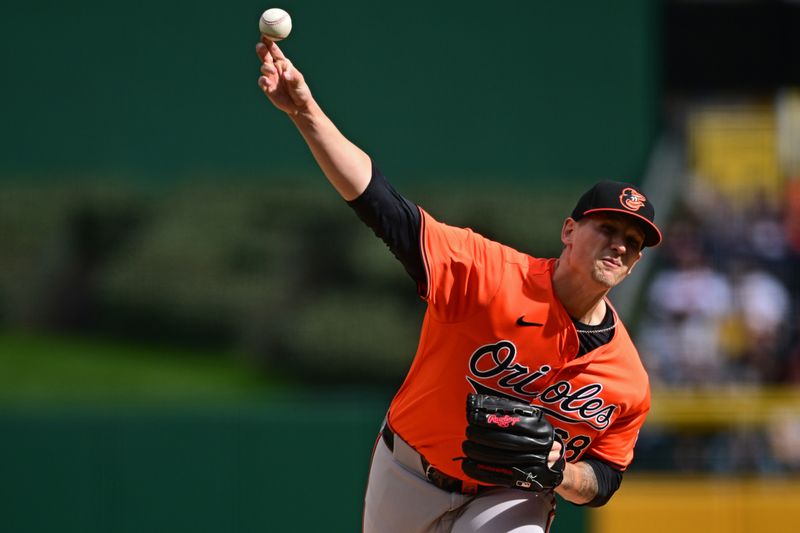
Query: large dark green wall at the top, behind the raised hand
{"points": [[158, 91]]}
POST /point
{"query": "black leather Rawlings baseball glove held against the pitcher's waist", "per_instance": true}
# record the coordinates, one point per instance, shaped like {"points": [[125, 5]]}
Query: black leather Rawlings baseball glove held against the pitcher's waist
{"points": [[508, 443]]}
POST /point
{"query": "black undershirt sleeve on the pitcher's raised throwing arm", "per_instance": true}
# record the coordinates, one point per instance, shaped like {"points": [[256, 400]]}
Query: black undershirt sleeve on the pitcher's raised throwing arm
{"points": [[394, 219]]}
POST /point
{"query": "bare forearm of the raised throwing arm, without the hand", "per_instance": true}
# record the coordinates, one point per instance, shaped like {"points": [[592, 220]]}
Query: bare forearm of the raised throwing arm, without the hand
{"points": [[345, 165]]}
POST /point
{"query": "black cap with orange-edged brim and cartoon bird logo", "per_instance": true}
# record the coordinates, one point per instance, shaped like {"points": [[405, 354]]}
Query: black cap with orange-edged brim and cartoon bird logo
{"points": [[620, 197]]}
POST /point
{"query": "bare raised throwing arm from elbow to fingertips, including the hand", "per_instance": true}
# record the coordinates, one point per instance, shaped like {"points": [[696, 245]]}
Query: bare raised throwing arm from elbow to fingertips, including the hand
{"points": [[345, 165]]}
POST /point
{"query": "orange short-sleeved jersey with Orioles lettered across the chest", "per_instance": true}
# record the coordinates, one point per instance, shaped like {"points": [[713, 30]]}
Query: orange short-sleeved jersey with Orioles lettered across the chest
{"points": [[493, 325]]}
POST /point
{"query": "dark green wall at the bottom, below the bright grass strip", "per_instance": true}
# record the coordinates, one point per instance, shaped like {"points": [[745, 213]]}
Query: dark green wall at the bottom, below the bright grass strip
{"points": [[293, 466]]}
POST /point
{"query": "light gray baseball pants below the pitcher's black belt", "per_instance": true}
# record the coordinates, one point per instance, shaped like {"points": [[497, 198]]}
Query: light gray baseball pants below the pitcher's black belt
{"points": [[400, 499]]}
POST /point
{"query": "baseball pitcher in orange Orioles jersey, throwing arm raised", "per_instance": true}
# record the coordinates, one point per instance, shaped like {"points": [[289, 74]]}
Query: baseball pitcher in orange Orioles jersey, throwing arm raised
{"points": [[525, 382]]}
